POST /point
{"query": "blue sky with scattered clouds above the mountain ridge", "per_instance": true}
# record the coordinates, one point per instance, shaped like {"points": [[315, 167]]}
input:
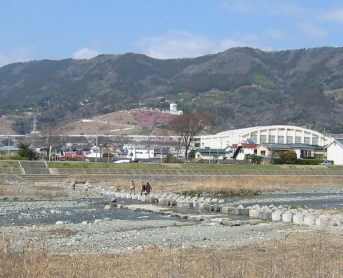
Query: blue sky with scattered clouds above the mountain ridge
{"points": [[57, 29]]}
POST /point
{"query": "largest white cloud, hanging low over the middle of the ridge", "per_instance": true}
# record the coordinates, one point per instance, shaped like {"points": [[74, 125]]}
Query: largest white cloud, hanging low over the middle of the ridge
{"points": [[183, 44]]}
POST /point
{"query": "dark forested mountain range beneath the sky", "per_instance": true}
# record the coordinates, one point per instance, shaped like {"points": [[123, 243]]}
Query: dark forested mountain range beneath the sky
{"points": [[239, 87]]}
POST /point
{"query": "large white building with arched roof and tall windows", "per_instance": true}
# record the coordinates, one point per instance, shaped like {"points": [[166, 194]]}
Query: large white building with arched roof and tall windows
{"points": [[281, 134]]}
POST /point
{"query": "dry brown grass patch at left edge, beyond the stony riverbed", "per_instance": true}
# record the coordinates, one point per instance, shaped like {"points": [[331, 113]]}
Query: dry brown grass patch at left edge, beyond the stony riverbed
{"points": [[44, 192]]}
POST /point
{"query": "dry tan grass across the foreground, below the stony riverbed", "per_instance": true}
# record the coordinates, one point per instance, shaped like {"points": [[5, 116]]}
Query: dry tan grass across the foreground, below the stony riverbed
{"points": [[296, 255]]}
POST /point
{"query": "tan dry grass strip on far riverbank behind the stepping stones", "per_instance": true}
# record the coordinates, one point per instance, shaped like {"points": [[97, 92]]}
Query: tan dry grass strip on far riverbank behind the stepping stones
{"points": [[234, 183]]}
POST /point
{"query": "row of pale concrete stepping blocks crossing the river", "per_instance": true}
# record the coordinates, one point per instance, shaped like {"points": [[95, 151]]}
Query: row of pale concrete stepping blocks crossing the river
{"points": [[272, 214]]}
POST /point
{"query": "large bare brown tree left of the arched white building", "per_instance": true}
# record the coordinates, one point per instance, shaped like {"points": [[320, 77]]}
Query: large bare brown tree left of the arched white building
{"points": [[187, 126]]}
